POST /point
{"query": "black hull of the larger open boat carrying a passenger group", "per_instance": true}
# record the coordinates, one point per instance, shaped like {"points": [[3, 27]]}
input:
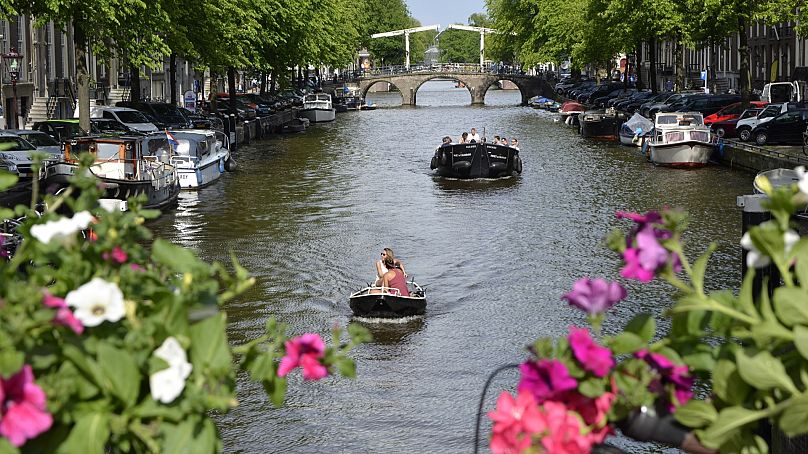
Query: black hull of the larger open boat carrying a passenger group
{"points": [[476, 160]]}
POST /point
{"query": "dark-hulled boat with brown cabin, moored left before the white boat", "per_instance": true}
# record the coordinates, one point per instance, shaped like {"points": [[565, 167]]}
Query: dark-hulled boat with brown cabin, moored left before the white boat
{"points": [[126, 166]]}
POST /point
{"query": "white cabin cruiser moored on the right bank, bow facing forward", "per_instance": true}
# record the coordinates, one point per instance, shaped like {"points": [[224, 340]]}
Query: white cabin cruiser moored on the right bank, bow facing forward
{"points": [[680, 139]]}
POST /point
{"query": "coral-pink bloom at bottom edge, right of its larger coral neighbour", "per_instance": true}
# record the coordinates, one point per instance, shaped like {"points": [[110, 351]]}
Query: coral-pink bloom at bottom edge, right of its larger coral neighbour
{"points": [[564, 431]]}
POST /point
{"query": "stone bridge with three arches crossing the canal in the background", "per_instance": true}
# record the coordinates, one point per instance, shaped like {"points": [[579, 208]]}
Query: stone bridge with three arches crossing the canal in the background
{"points": [[477, 84]]}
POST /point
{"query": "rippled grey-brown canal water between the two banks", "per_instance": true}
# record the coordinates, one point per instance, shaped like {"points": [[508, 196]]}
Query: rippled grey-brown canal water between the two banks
{"points": [[309, 213]]}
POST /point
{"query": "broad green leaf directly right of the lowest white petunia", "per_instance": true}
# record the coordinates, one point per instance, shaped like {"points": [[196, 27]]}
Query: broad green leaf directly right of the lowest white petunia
{"points": [[209, 349]]}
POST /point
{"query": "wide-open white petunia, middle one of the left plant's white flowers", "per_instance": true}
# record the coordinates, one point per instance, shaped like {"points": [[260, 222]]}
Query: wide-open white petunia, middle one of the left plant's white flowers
{"points": [[97, 301]]}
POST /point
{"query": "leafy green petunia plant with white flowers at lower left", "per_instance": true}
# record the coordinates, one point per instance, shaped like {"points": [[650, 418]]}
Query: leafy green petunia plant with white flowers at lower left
{"points": [[103, 383]]}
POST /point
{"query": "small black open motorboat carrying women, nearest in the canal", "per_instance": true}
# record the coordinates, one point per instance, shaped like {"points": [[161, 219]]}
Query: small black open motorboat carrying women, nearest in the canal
{"points": [[383, 302]]}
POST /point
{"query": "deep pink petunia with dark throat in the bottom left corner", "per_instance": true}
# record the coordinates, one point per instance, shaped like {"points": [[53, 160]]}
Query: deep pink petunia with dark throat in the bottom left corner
{"points": [[22, 408]]}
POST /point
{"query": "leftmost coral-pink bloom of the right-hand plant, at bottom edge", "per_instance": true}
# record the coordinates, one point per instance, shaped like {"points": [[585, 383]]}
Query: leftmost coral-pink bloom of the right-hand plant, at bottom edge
{"points": [[515, 421]]}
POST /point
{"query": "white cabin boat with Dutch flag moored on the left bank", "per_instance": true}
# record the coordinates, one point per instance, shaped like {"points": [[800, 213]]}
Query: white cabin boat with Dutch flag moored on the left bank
{"points": [[200, 156]]}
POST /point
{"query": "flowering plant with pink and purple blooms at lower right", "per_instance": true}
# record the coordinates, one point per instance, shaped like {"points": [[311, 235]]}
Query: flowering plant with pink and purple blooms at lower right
{"points": [[749, 351]]}
